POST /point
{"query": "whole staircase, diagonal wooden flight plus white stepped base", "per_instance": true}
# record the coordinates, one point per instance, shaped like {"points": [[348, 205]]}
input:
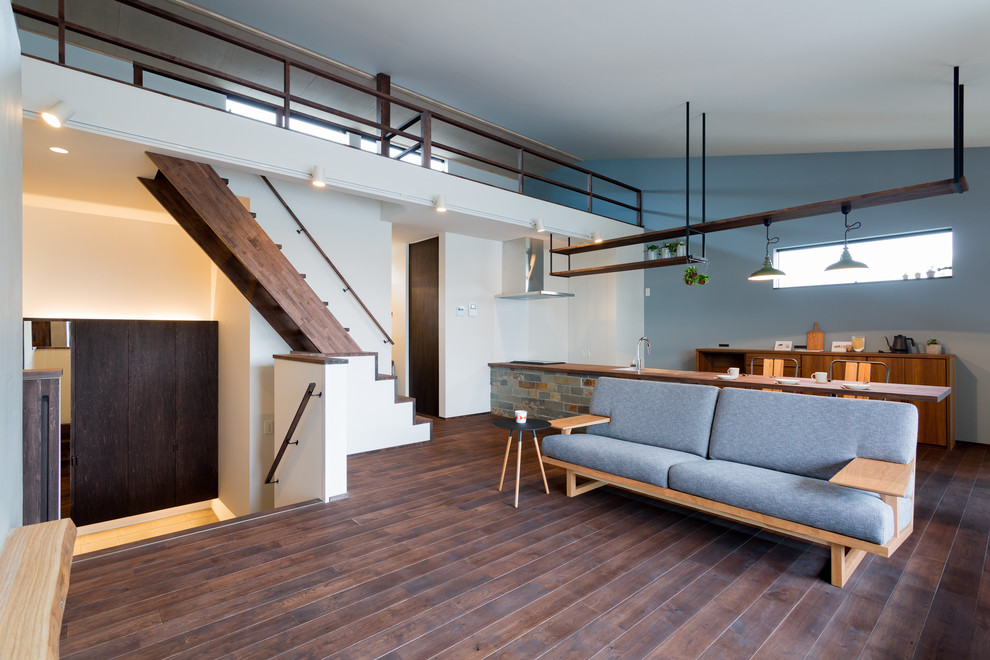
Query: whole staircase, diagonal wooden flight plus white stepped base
{"points": [[202, 204]]}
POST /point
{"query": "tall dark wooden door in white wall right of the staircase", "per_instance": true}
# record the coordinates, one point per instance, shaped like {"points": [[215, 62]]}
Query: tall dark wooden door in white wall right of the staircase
{"points": [[424, 325]]}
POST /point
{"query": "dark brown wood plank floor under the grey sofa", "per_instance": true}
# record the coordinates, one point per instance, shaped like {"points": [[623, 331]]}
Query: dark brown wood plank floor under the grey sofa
{"points": [[425, 558]]}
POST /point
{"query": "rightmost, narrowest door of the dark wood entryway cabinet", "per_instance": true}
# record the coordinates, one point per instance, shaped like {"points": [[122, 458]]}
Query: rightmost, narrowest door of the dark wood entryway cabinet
{"points": [[196, 413]]}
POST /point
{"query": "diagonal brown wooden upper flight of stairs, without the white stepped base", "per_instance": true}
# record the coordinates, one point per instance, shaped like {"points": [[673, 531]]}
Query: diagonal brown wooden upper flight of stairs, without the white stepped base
{"points": [[199, 200]]}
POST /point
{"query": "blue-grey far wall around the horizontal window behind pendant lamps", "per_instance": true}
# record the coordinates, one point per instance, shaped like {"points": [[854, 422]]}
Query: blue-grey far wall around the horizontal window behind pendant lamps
{"points": [[732, 310]]}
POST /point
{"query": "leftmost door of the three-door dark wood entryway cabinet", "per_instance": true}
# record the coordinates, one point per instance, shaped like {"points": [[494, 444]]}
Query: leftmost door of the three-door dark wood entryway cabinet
{"points": [[99, 443]]}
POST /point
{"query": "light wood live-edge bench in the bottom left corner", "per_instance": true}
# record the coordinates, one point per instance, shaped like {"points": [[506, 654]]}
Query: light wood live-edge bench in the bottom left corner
{"points": [[34, 579]]}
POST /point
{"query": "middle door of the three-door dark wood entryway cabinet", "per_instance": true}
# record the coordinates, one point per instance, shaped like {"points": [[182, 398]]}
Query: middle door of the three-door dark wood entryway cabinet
{"points": [[151, 378]]}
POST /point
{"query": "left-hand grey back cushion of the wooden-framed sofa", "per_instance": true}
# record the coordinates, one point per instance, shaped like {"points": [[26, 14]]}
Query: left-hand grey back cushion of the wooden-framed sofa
{"points": [[670, 415]]}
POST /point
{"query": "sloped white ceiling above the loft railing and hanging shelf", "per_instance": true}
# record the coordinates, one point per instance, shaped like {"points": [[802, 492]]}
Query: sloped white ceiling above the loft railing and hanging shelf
{"points": [[609, 79]]}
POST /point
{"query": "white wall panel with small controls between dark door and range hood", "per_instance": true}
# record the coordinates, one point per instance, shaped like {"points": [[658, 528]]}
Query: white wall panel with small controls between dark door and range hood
{"points": [[470, 273]]}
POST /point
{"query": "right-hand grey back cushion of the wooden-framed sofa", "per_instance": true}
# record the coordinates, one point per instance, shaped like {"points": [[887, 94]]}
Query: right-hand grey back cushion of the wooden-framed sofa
{"points": [[813, 436]]}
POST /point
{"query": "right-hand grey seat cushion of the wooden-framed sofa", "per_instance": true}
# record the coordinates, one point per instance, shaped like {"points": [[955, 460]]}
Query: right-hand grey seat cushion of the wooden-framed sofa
{"points": [[804, 500]]}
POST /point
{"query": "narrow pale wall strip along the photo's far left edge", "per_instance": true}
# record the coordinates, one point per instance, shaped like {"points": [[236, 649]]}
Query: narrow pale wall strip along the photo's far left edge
{"points": [[10, 275]]}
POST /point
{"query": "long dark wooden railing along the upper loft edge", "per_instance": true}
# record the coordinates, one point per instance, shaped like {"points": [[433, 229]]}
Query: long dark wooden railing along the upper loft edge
{"points": [[265, 78]]}
